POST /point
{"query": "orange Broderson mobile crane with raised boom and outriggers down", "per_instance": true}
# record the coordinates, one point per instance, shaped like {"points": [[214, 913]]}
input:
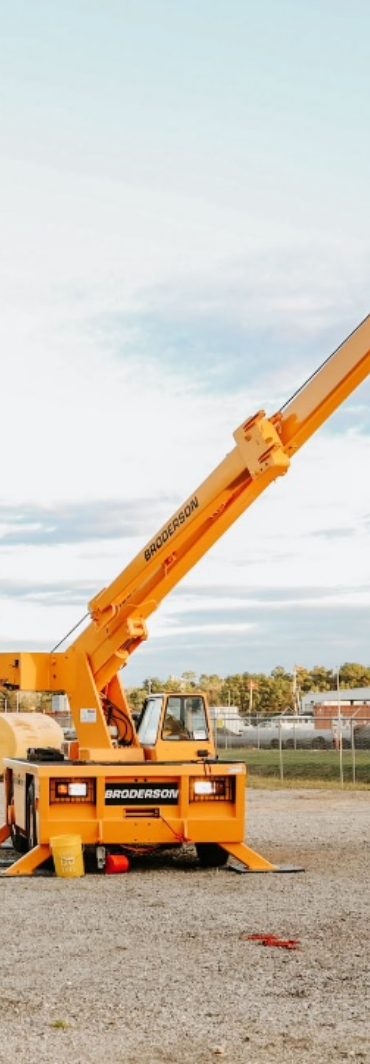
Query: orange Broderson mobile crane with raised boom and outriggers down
{"points": [[123, 788]]}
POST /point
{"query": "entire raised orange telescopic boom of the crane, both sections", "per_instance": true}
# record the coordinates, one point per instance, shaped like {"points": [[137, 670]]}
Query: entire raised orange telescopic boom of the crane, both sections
{"points": [[263, 452]]}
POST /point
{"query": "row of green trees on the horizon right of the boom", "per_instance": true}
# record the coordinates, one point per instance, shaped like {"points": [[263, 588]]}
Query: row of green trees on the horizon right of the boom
{"points": [[278, 692]]}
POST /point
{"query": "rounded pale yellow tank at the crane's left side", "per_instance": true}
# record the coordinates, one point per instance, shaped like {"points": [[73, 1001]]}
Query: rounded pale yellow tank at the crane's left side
{"points": [[20, 731]]}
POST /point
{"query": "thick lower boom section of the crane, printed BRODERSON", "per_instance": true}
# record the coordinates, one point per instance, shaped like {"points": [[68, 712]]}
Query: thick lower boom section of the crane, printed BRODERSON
{"points": [[121, 611]]}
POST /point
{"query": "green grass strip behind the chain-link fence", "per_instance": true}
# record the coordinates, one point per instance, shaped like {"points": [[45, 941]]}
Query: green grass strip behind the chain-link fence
{"points": [[304, 769]]}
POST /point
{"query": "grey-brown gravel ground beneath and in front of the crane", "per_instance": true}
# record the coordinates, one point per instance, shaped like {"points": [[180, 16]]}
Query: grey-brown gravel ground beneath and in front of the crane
{"points": [[155, 968]]}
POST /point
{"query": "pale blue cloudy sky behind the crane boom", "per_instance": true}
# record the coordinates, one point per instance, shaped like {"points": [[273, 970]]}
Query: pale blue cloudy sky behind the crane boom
{"points": [[184, 239]]}
